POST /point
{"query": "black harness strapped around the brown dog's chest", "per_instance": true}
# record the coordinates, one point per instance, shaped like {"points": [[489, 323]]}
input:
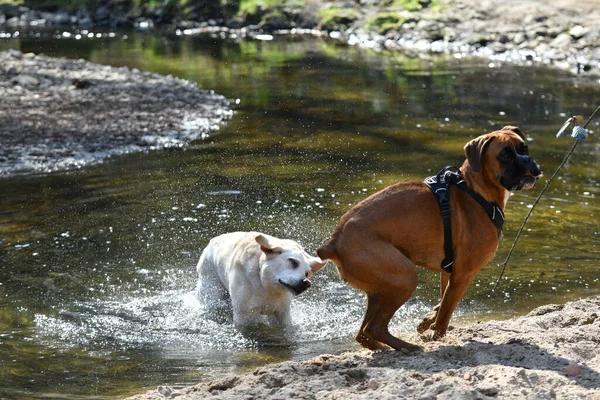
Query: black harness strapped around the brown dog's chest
{"points": [[440, 186]]}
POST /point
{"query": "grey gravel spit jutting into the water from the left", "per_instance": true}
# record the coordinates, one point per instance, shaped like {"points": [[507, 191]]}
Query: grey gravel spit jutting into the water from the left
{"points": [[58, 113]]}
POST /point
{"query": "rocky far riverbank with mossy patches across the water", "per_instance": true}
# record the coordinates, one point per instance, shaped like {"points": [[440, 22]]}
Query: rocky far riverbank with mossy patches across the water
{"points": [[563, 33]]}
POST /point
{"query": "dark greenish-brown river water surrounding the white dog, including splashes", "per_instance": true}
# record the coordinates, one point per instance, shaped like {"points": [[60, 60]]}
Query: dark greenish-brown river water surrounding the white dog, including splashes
{"points": [[98, 263]]}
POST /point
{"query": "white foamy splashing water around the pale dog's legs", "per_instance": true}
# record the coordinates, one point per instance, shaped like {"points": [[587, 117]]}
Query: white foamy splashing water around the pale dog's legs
{"points": [[177, 324]]}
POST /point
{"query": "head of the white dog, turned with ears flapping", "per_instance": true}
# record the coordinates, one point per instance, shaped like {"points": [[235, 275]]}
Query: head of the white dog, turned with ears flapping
{"points": [[285, 265]]}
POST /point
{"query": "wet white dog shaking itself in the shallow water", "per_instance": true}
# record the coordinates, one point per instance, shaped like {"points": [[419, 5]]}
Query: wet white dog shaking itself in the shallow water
{"points": [[260, 273]]}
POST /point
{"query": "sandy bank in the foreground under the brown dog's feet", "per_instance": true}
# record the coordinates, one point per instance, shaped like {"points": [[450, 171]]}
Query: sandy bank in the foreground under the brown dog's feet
{"points": [[553, 352]]}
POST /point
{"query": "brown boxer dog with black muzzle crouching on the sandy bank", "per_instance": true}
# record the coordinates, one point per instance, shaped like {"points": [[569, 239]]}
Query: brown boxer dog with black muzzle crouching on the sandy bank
{"points": [[378, 244]]}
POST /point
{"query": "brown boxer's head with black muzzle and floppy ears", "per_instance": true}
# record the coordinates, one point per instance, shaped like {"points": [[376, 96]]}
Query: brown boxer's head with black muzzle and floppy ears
{"points": [[505, 156]]}
